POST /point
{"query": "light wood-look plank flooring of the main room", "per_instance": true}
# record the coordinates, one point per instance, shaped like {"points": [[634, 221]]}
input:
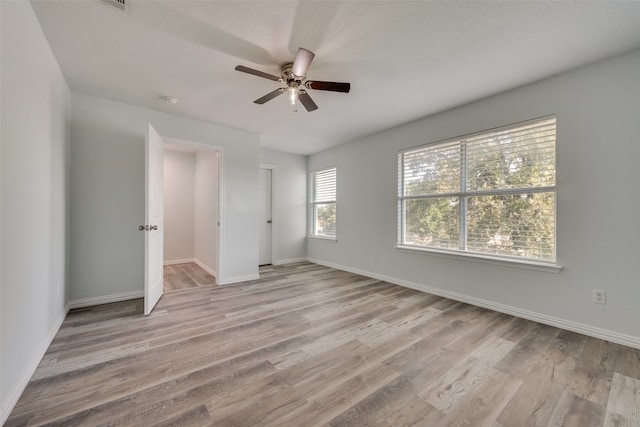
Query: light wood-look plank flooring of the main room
{"points": [[308, 345]]}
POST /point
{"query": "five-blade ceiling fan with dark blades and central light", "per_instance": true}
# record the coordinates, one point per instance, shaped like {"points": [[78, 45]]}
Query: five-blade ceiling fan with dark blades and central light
{"points": [[294, 75]]}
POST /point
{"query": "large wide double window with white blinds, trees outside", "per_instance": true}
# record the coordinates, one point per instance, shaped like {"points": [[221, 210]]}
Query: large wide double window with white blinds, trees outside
{"points": [[488, 193]]}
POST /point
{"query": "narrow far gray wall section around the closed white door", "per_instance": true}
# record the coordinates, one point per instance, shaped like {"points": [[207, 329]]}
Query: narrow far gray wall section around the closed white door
{"points": [[289, 204]]}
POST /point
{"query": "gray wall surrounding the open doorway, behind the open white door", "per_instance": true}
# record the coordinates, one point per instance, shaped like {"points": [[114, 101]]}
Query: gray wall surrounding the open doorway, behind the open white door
{"points": [[107, 194]]}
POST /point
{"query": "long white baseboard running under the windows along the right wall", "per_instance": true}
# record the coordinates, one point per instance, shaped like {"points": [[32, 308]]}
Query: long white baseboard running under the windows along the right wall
{"points": [[592, 331]]}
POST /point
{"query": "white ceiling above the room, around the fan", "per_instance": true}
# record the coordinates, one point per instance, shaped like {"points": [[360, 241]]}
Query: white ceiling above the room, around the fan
{"points": [[404, 59]]}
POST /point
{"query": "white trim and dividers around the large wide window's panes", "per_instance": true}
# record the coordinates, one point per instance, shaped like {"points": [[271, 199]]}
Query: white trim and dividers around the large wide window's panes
{"points": [[463, 194]]}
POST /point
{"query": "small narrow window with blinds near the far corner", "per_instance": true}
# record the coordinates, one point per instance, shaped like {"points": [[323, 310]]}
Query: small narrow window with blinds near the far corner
{"points": [[322, 203]]}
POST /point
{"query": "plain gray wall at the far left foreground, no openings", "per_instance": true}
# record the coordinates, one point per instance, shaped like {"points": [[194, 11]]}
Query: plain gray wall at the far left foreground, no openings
{"points": [[34, 198]]}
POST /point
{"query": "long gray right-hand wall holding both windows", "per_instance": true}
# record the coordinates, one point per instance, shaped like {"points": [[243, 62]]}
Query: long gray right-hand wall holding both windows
{"points": [[598, 204]]}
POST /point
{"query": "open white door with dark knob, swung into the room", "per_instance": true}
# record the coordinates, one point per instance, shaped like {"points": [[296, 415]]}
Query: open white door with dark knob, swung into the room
{"points": [[154, 217]]}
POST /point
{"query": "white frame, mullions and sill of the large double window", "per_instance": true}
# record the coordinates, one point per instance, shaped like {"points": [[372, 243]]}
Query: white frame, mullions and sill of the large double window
{"points": [[462, 194]]}
